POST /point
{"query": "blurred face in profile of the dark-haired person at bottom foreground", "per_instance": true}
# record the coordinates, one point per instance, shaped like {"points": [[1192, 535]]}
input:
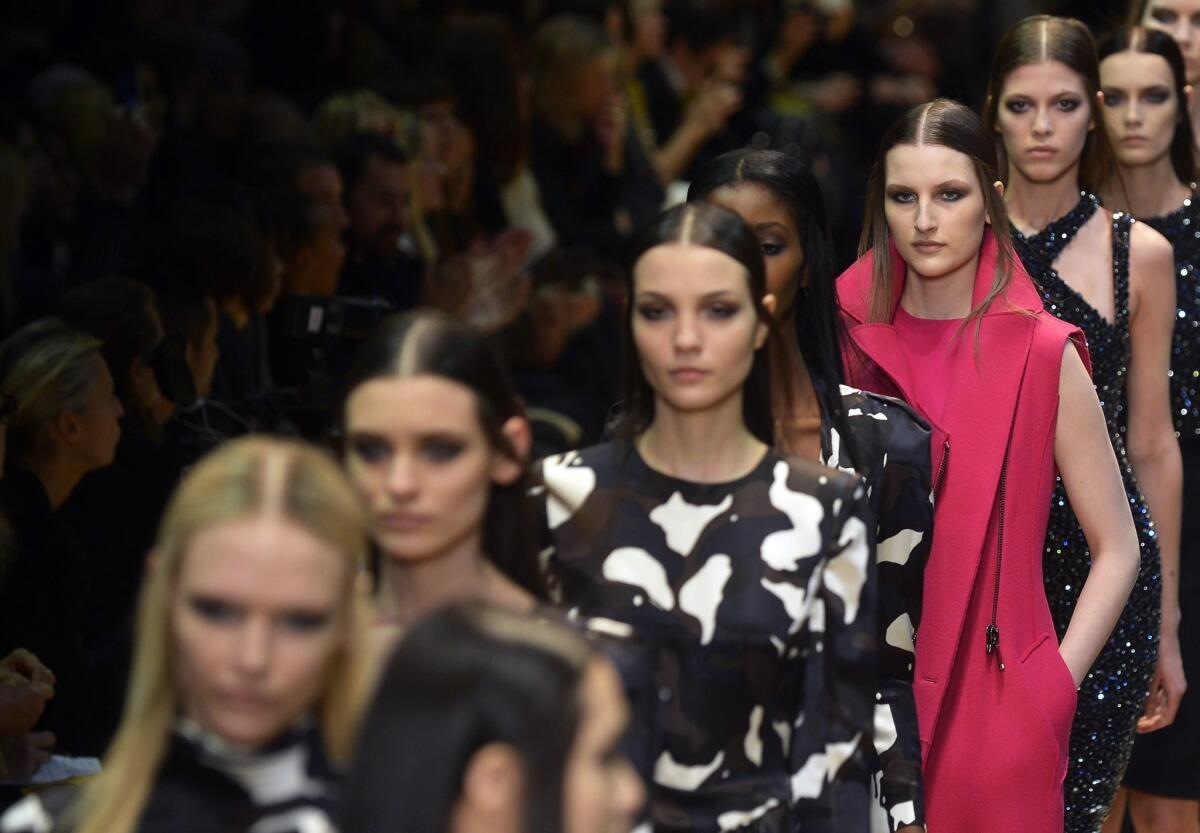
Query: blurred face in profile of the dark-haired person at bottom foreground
{"points": [[602, 794]]}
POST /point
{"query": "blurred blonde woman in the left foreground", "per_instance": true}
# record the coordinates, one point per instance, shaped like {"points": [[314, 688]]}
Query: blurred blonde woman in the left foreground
{"points": [[249, 672]]}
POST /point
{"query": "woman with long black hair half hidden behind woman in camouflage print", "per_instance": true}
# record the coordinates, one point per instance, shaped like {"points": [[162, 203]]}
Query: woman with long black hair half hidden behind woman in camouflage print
{"points": [[878, 438]]}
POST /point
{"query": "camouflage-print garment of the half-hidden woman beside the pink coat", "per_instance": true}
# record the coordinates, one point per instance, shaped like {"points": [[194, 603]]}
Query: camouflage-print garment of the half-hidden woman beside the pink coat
{"points": [[890, 451]]}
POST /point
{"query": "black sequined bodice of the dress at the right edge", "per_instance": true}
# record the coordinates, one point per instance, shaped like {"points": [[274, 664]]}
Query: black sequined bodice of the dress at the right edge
{"points": [[1183, 229]]}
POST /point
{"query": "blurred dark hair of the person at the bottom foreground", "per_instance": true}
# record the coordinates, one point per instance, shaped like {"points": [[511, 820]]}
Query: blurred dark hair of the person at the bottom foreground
{"points": [[463, 679]]}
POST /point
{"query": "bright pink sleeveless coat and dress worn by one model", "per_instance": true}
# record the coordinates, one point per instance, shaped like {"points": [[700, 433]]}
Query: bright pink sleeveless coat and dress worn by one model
{"points": [[994, 742]]}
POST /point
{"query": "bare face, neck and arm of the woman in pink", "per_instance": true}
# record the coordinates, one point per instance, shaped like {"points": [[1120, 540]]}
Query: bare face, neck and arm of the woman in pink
{"points": [[935, 197]]}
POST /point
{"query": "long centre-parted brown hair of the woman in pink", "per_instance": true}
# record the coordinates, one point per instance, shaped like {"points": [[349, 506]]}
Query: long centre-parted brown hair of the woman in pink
{"points": [[952, 125]]}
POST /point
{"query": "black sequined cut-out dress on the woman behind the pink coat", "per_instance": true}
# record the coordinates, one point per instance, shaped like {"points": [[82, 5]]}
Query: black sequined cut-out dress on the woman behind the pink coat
{"points": [[1112, 698]]}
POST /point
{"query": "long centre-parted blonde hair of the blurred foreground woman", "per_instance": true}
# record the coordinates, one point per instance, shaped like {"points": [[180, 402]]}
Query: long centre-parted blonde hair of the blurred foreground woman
{"points": [[231, 484]]}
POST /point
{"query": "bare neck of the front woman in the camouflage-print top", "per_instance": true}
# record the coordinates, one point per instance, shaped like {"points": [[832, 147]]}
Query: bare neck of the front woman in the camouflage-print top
{"points": [[711, 446]]}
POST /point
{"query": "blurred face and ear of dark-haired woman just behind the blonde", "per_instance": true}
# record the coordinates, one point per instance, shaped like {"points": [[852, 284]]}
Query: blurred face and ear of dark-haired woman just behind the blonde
{"points": [[418, 454]]}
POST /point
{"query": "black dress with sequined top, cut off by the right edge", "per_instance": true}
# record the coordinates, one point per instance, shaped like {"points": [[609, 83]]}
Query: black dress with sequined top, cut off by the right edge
{"points": [[1167, 763]]}
